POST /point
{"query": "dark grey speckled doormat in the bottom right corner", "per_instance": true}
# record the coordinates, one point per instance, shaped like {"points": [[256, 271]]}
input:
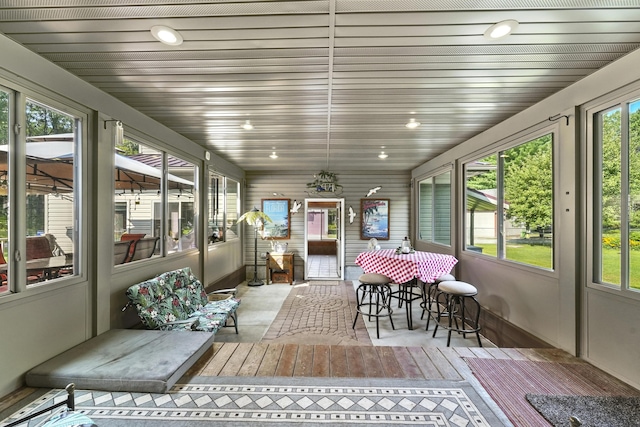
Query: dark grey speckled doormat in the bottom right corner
{"points": [[593, 411]]}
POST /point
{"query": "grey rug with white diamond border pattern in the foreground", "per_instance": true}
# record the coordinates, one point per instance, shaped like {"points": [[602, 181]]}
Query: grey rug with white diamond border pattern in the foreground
{"points": [[259, 401]]}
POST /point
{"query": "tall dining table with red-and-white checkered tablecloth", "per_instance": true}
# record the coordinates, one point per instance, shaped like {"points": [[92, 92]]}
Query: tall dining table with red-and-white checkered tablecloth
{"points": [[405, 269]]}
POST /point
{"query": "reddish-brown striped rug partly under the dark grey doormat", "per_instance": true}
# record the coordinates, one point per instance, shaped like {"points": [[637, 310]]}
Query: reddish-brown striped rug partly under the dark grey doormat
{"points": [[509, 381]]}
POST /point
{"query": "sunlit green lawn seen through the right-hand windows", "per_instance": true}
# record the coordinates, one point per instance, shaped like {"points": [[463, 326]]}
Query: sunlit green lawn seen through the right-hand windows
{"points": [[541, 256]]}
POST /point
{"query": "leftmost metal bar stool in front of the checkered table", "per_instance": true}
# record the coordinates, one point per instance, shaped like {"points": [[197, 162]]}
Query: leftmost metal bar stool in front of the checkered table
{"points": [[376, 287]]}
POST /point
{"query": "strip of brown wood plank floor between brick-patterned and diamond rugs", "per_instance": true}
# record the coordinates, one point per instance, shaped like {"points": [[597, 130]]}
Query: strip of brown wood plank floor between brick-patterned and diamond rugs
{"points": [[288, 360]]}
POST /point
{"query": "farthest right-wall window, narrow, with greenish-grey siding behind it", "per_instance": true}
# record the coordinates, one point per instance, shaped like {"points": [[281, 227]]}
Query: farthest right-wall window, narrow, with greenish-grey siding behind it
{"points": [[435, 209]]}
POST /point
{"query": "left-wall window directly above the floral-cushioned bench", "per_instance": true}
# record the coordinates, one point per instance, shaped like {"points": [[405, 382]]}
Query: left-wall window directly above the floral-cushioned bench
{"points": [[155, 224]]}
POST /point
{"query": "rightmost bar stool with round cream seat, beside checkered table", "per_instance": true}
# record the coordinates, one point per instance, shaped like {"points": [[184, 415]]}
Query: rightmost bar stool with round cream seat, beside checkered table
{"points": [[453, 295]]}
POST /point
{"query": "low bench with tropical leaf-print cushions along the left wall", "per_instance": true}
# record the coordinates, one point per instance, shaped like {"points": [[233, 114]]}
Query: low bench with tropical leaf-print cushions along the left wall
{"points": [[176, 300]]}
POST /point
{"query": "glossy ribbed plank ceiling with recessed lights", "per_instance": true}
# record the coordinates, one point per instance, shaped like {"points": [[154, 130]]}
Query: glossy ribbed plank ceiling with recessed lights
{"points": [[327, 84]]}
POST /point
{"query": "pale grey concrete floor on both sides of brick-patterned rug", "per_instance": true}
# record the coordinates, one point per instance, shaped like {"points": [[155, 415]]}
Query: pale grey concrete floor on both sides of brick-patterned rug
{"points": [[261, 304]]}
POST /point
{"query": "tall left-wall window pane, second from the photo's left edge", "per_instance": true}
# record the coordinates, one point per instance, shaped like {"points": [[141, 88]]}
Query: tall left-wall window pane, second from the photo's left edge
{"points": [[52, 141]]}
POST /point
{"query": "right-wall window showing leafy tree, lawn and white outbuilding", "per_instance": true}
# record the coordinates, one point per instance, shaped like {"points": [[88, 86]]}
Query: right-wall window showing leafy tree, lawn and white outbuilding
{"points": [[509, 203]]}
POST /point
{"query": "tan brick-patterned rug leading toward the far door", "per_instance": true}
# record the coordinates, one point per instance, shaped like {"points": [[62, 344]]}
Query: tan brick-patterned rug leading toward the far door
{"points": [[319, 312]]}
